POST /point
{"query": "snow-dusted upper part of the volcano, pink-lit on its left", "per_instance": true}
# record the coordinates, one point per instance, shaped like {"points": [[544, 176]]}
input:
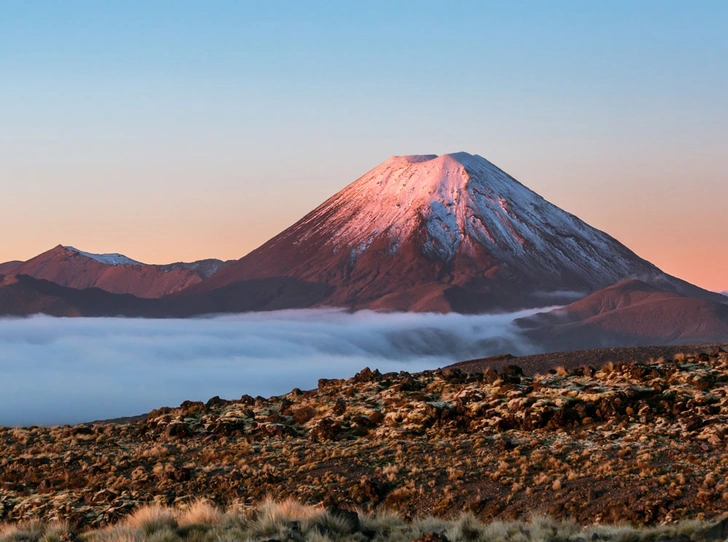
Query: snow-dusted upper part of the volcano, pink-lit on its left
{"points": [[464, 202]]}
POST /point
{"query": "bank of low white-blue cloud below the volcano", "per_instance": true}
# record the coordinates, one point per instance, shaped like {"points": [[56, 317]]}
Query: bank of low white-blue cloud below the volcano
{"points": [[69, 370]]}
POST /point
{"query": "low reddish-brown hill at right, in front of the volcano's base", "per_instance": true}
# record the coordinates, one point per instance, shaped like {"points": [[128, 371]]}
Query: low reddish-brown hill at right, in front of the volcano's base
{"points": [[631, 313]]}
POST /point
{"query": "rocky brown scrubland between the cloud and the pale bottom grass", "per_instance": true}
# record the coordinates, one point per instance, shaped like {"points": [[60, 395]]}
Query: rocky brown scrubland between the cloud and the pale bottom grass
{"points": [[643, 442]]}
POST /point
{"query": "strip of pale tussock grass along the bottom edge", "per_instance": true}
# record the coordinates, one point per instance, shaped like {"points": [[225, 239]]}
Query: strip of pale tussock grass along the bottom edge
{"points": [[289, 520]]}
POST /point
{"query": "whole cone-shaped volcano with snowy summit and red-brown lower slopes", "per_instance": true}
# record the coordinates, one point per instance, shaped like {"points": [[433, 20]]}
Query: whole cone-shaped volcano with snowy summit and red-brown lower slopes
{"points": [[447, 233]]}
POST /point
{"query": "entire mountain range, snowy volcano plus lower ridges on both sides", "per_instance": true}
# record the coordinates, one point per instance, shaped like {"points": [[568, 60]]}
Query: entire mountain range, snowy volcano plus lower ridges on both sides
{"points": [[449, 233]]}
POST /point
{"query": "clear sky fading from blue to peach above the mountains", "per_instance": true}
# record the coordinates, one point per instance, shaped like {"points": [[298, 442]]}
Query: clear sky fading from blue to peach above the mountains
{"points": [[177, 130]]}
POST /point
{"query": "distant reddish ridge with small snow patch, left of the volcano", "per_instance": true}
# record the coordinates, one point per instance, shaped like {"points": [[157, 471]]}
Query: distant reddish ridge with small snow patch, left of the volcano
{"points": [[114, 273]]}
